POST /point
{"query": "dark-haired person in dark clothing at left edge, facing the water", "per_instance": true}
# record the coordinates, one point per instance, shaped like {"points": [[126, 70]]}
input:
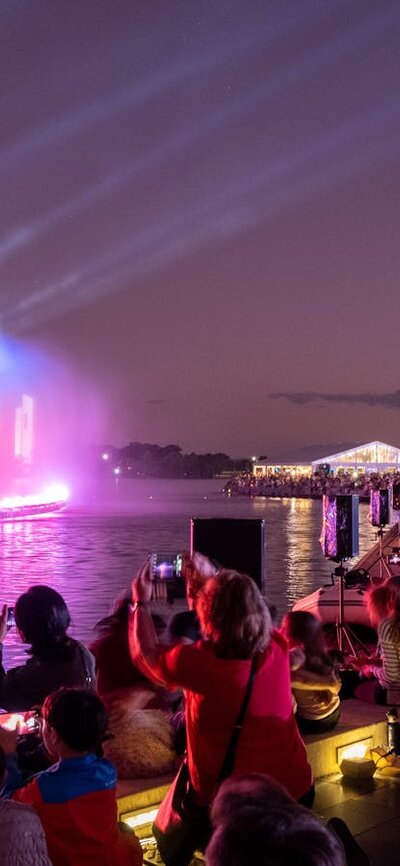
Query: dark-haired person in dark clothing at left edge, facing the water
{"points": [[42, 619]]}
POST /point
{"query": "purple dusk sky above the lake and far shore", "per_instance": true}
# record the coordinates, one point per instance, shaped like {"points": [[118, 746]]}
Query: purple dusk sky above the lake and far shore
{"points": [[200, 215]]}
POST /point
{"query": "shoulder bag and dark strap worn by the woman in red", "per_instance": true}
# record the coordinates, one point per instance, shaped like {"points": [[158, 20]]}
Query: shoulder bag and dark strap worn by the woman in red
{"points": [[181, 825]]}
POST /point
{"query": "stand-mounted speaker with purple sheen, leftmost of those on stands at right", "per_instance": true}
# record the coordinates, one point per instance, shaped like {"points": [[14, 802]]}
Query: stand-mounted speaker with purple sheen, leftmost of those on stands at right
{"points": [[339, 537]]}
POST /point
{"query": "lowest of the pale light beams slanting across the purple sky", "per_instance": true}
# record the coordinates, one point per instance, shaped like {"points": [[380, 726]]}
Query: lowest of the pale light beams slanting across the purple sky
{"points": [[333, 157]]}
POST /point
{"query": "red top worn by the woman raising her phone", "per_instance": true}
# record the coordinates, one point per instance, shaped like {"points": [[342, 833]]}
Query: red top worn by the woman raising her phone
{"points": [[269, 741]]}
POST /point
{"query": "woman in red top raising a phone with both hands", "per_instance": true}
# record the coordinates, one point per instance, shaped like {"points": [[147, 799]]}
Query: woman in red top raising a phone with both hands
{"points": [[239, 653]]}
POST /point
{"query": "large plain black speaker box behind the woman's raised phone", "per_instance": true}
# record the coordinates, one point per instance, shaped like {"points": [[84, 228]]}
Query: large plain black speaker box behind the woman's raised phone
{"points": [[231, 542]]}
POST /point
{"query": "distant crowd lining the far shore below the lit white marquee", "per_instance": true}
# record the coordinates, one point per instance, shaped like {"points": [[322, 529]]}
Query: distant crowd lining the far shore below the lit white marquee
{"points": [[284, 484]]}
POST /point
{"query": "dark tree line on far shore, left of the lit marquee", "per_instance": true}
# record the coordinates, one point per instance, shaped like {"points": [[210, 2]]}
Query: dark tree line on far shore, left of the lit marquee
{"points": [[169, 461]]}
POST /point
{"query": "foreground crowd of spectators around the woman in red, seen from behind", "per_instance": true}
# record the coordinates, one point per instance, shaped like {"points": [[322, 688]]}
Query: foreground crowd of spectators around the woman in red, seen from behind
{"points": [[217, 679]]}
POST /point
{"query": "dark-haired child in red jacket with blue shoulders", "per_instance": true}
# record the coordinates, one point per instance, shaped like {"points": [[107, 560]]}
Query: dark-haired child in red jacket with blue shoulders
{"points": [[75, 799]]}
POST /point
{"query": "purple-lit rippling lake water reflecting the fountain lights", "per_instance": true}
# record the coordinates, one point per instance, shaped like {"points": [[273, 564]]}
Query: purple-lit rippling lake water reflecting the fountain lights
{"points": [[90, 552]]}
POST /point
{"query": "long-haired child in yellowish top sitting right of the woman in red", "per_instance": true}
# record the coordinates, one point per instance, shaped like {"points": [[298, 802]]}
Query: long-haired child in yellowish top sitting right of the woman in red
{"points": [[315, 684]]}
